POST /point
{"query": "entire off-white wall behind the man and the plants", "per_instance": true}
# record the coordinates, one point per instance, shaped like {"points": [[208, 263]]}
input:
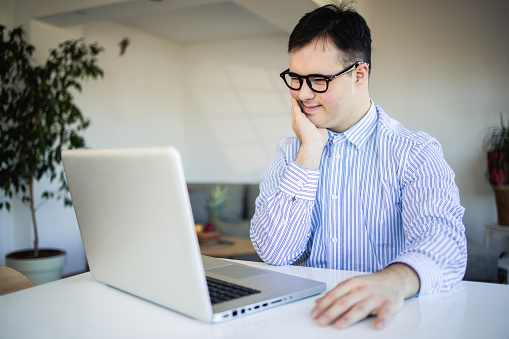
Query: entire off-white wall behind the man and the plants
{"points": [[438, 66]]}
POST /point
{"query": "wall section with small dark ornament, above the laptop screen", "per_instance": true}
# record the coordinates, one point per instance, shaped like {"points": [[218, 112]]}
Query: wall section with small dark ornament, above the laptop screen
{"points": [[139, 100]]}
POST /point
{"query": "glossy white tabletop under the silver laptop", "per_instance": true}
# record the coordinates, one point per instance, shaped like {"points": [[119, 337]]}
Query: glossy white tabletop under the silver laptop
{"points": [[80, 307]]}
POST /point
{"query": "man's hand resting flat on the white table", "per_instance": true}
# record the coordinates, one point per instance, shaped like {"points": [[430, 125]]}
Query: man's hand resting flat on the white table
{"points": [[381, 294]]}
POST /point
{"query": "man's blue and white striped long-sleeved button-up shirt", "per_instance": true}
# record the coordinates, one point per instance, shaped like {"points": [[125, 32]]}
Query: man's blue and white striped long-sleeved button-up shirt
{"points": [[382, 195]]}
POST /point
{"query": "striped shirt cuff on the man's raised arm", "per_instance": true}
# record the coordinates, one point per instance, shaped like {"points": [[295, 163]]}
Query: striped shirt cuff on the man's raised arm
{"points": [[300, 182]]}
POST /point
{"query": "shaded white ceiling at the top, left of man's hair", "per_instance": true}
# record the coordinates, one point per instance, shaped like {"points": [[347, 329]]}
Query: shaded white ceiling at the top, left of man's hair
{"points": [[192, 21]]}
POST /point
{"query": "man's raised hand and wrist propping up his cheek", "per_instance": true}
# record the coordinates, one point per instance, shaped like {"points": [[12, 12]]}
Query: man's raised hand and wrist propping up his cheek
{"points": [[312, 139]]}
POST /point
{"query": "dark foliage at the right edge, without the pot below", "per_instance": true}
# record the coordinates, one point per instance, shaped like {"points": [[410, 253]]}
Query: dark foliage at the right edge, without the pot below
{"points": [[496, 144]]}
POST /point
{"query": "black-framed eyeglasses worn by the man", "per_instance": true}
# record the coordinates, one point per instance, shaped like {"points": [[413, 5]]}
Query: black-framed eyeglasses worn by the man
{"points": [[318, 83]]}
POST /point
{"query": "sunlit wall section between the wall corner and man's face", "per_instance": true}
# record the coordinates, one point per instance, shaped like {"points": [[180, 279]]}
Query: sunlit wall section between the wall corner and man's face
{"points": [[236, 108]]}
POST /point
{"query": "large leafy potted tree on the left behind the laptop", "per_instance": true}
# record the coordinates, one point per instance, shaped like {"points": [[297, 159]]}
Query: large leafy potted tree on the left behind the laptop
{"points": [[38, 120]]}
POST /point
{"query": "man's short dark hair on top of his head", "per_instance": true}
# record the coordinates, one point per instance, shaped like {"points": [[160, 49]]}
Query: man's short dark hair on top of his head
{"points": [[339, 24]]}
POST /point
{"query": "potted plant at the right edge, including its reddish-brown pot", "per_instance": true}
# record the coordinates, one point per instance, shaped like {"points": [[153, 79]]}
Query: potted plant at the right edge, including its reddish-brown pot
{"points": [[497, 146]]}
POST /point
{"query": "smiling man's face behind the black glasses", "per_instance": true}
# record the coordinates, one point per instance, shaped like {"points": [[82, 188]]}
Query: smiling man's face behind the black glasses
{"points": [[333, 109]]}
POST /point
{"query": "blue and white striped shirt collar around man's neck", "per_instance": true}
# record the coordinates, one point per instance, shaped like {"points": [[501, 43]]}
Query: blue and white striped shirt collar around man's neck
{"points": [[359, 133]]}
